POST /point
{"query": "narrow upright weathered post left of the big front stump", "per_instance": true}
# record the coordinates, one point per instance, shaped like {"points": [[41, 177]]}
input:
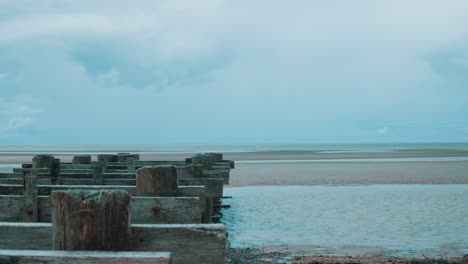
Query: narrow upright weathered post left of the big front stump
{"points": [[30, 212]]}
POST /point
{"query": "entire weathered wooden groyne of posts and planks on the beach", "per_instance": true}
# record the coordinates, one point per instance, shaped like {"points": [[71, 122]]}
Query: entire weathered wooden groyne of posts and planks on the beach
{"points": [[167, 209]]}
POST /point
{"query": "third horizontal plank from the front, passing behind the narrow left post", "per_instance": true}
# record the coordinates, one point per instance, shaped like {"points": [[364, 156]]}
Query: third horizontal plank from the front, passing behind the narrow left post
{"points": [[172, 210]]}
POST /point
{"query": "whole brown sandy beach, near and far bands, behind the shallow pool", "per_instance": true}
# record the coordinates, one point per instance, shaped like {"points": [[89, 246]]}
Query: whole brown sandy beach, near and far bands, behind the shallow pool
{"points": [[316, 168]]}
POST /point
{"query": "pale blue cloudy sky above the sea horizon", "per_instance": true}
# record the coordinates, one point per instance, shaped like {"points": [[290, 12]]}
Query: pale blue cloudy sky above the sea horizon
{"points": [[232, 72]]}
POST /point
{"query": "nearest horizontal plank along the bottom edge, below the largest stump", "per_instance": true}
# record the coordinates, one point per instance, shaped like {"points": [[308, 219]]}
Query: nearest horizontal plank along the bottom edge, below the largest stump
{"points": [[82, 257]]}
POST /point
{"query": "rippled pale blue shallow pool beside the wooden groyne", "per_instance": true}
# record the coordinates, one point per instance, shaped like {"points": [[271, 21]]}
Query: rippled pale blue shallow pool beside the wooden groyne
{"points": [[396, 217]]}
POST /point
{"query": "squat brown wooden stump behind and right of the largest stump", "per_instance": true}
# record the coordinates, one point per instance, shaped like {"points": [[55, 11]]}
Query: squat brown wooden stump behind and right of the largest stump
{"points": [[157, 181]]}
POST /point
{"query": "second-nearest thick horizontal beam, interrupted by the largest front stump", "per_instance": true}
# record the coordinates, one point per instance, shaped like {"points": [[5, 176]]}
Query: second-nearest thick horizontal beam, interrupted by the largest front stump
{"points": [[188, 243]]}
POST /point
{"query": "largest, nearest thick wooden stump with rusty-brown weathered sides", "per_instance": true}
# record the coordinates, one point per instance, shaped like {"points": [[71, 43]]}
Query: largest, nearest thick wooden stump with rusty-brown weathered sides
{"points": [[90, 220]]}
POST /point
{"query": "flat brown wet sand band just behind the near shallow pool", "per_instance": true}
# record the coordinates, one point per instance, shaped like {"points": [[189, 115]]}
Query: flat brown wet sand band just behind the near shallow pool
{"points": [[316, 173]]}
